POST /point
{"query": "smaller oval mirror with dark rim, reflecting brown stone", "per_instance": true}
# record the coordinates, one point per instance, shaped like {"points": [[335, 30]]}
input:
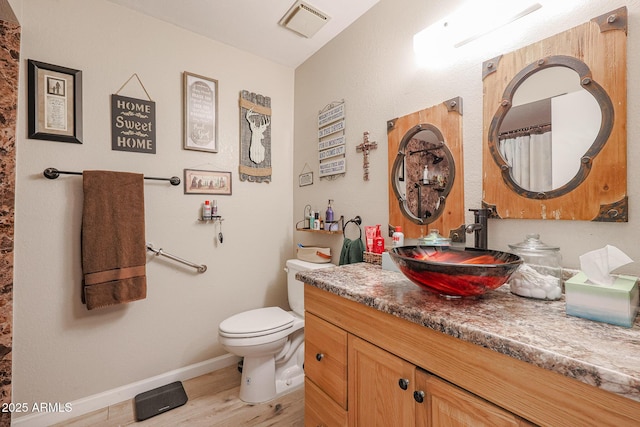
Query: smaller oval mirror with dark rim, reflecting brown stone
{"points": [[423, 174]]}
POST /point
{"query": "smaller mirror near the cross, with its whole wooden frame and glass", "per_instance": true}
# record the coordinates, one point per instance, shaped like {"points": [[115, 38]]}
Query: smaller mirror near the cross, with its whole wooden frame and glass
{"points": [[425, 163]]}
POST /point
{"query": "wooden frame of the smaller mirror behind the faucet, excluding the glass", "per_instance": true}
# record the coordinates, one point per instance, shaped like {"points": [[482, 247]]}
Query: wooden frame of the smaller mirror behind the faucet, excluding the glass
{"points": [[446, 120]]}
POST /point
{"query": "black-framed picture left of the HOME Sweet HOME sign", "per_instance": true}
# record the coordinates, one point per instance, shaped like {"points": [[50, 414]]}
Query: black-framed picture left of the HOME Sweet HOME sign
{"points": [[54, 102]]}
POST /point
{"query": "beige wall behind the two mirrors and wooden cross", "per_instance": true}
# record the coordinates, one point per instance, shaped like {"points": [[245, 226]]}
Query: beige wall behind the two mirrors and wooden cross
{"points": [[371, 67]]}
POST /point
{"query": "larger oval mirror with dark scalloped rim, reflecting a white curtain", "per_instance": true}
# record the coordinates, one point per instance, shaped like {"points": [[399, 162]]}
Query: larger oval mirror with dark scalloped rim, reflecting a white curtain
{"points": [[553, 120]]}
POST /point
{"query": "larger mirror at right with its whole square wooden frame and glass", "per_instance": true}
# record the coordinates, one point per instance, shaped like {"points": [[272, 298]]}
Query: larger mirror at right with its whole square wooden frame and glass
{"points": [[555, 126]]}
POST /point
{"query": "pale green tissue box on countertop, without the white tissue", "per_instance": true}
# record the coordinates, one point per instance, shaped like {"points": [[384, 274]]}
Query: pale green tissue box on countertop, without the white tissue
{"points": [[616, 304]]}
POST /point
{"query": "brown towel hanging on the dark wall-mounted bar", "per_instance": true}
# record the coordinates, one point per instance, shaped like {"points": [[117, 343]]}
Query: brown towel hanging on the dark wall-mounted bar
{"points": [[113, 243]]}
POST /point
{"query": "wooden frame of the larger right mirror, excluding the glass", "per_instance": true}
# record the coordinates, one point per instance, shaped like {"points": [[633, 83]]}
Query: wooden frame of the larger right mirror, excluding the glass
{"points": [[596, 50]]}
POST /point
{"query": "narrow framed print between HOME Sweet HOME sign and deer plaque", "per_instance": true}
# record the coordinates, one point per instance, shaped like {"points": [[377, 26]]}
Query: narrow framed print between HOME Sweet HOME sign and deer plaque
{"points": [[200, 106]]}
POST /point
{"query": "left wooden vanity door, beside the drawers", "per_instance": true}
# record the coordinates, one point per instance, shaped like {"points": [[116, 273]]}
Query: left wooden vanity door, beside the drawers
{"points": [[380, 387]]}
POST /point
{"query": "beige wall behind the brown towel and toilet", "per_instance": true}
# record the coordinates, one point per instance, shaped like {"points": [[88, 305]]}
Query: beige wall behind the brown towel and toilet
{"points": [[64, 352]]}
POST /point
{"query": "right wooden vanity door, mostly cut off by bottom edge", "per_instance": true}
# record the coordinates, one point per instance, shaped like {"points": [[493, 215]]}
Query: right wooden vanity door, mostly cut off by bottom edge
{"points": [[447, 405]]}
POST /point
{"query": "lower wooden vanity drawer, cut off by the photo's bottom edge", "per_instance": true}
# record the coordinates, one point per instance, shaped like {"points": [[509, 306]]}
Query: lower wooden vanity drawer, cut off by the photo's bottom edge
{"points": [[320, 409]]}
